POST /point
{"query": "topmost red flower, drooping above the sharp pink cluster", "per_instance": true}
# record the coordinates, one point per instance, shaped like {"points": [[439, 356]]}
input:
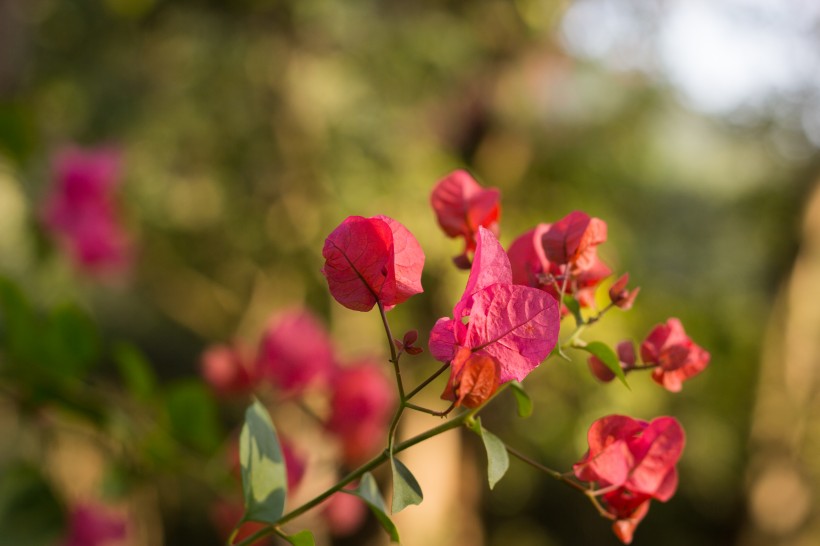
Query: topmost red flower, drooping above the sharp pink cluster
{"points": [[462, 206]]}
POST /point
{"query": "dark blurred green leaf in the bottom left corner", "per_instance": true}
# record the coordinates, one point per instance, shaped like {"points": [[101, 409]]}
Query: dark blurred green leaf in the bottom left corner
{"points": [[30, 514]]}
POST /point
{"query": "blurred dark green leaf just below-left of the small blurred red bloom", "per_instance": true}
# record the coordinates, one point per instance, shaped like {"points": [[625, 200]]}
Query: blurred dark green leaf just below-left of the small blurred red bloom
{"points": [[194, 416]]}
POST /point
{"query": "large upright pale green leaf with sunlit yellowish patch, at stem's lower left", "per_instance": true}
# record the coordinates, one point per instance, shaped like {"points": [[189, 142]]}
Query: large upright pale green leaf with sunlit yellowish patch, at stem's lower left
{"points": [[264, 480]]}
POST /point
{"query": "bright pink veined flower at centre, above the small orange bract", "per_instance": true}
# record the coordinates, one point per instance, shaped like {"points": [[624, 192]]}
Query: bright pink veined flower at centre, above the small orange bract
{"points": [[515, 325]]}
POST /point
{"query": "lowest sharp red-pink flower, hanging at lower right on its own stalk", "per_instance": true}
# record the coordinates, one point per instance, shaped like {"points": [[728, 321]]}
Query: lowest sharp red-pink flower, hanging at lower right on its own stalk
{"points": [[631, 462]]}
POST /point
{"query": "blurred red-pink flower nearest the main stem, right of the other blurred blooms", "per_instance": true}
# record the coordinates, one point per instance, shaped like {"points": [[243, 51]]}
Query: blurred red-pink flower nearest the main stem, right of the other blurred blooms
{"points": [[361, 406]]}
